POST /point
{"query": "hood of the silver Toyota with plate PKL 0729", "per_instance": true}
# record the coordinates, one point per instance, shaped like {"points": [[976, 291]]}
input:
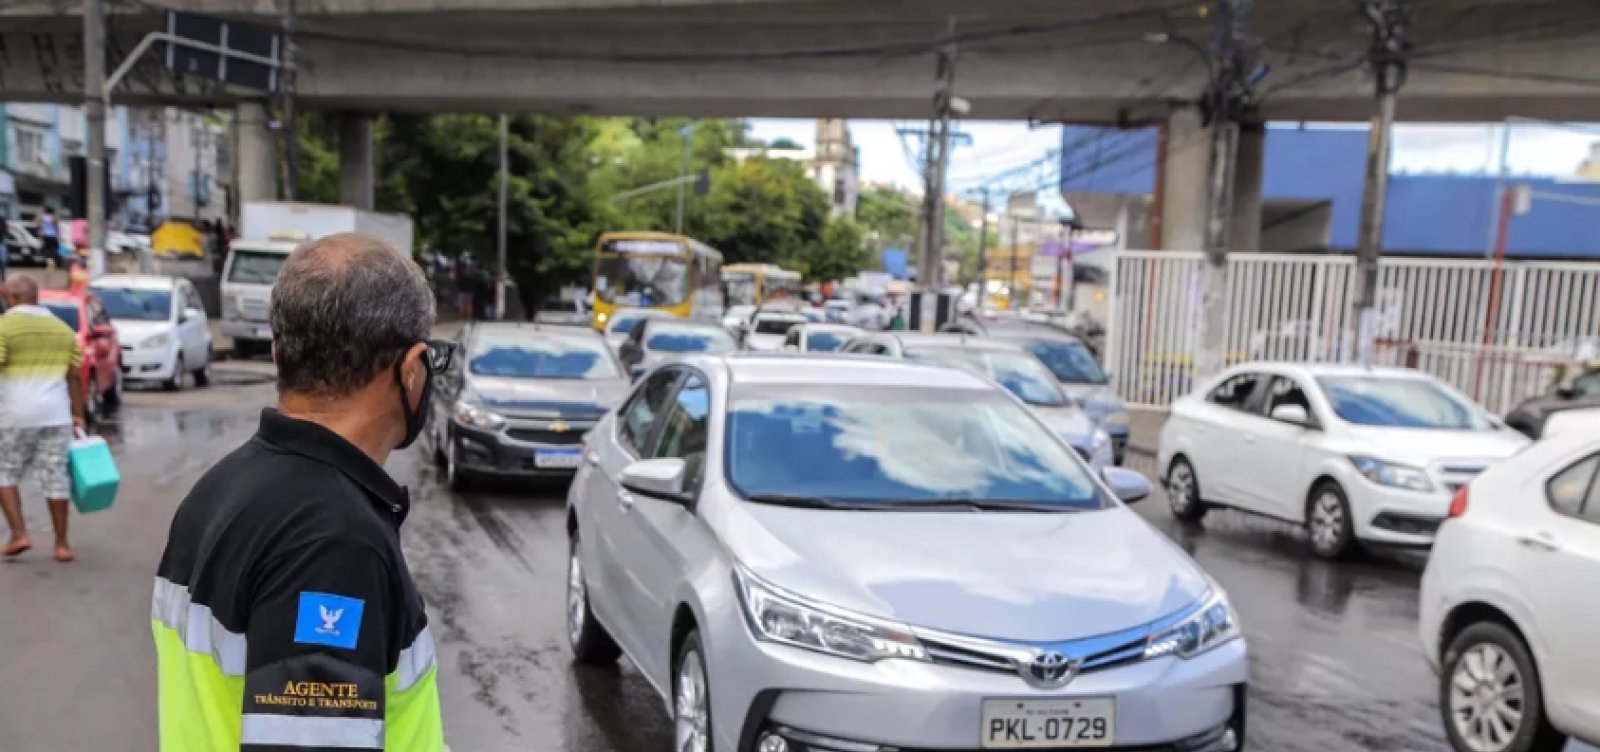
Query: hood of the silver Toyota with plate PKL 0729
{"points": [[1018, 577]]}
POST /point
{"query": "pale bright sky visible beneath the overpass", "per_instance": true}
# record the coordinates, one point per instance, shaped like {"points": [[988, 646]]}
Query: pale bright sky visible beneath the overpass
{"points": [[999, 146]]}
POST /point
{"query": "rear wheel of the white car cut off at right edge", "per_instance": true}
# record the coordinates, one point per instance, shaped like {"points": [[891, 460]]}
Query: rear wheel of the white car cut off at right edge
{"points": [[1487, 668]]}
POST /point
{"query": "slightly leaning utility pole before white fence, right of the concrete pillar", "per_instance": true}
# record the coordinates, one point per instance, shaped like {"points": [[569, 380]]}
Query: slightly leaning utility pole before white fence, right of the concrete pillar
{"points": [[1388, 55]]}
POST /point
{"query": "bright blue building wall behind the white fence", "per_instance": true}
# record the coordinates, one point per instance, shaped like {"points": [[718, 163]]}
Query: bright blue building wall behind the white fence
{"points": [[1446, 215]]}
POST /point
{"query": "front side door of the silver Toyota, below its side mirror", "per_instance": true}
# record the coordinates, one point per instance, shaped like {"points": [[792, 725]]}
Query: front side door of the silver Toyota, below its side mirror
{"points": [[655, 532]]}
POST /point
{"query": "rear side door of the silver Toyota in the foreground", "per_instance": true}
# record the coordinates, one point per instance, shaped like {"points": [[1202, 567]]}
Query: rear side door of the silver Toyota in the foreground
{"points": [[620, 583]]}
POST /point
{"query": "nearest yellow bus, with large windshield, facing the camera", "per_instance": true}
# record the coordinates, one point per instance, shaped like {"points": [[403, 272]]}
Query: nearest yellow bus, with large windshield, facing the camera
{"points": [[657, 271]]}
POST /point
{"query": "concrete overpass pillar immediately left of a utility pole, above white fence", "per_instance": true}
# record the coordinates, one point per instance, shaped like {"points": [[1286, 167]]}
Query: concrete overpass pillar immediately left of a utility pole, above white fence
{"points": [[1185, 182]]}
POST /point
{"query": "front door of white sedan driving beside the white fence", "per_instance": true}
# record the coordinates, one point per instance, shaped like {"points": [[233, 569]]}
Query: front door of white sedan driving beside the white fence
{"points": [[1278, 452]]}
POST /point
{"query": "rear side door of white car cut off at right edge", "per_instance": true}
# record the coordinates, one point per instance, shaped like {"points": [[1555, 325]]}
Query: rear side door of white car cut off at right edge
{"points": [[1558, 550]]}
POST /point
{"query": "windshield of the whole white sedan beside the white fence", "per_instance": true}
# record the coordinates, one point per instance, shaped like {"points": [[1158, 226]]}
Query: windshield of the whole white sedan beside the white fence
{"points": [[1399, 402]]}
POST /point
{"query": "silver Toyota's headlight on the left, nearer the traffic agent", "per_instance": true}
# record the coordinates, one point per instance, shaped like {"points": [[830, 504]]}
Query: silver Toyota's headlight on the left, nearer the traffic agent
{"points": [[790, 620]]}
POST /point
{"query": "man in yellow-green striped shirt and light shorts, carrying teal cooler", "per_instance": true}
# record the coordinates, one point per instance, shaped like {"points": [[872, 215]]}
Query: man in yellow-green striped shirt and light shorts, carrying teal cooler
{"points": [[41, 406]]}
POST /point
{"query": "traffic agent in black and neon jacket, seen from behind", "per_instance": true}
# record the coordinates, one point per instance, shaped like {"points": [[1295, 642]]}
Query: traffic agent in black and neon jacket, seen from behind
{"points": [[284, 612]]}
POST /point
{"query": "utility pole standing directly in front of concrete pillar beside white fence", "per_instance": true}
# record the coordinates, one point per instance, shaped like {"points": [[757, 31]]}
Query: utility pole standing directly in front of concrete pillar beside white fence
{"points": [[1225, 105]]}
